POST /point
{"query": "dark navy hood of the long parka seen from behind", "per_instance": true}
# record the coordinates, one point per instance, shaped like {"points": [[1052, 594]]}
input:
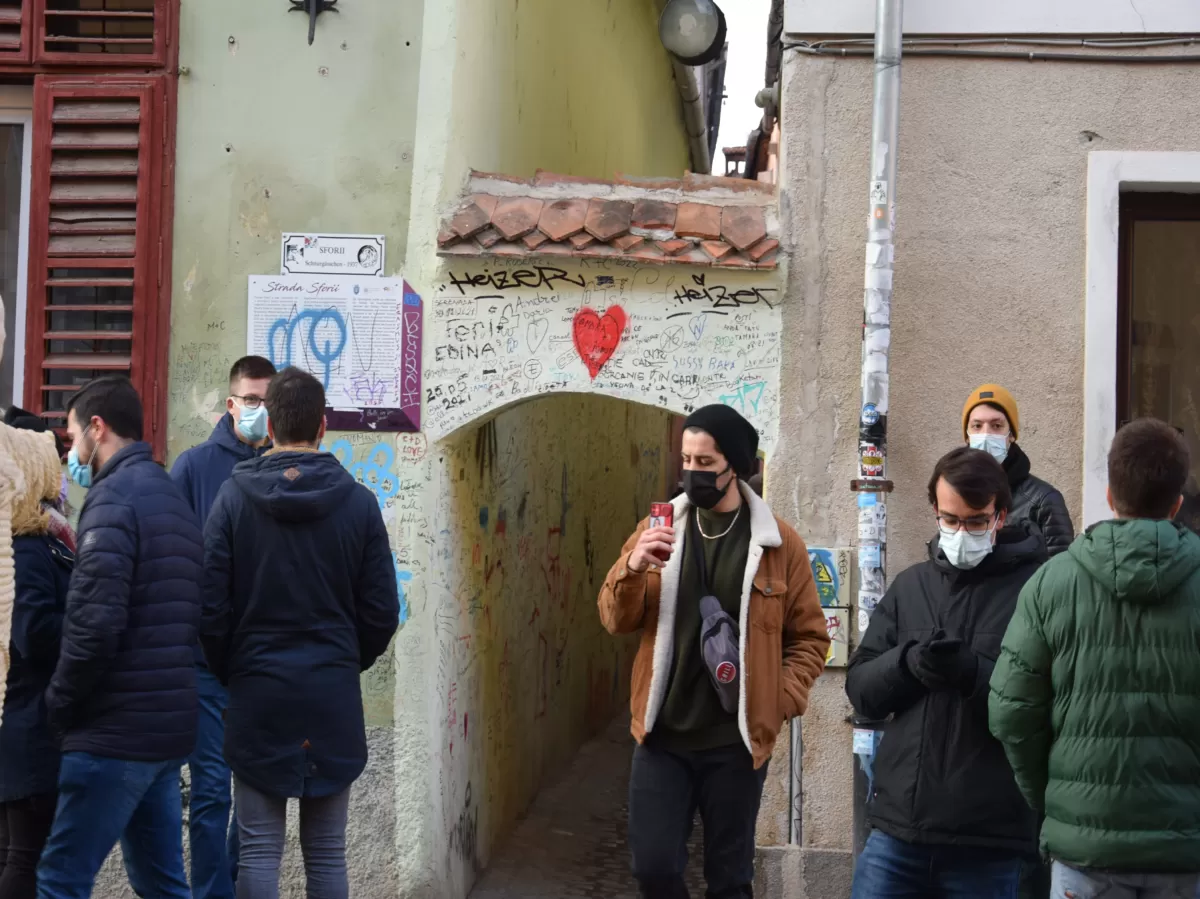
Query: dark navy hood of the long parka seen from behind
{"points": [[296, 487]]}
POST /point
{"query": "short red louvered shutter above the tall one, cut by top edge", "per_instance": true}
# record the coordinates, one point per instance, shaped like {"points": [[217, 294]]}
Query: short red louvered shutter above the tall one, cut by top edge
{"points": [[101, 33]]}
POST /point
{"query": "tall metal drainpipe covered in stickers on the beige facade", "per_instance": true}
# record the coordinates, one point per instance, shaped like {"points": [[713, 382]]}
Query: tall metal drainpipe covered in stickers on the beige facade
{"points": [[872, 486]]}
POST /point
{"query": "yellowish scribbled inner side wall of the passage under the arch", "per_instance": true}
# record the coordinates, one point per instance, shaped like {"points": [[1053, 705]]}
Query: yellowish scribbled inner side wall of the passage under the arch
{"points": [[532, 510]]}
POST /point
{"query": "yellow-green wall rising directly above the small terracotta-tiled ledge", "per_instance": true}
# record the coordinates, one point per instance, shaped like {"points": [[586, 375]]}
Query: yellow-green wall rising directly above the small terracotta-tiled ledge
{"points": [[574, 87]]}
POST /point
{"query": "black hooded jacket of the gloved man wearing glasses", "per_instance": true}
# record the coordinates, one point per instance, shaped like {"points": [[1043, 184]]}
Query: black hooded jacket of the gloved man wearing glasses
{"points": [[940, 776]]}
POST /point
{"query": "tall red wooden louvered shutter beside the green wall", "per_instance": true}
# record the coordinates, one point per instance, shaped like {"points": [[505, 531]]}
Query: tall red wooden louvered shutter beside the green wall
{"points": [[97, 241]]}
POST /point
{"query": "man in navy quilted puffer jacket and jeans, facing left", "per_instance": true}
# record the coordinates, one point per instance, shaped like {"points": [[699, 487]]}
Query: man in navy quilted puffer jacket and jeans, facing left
{"points": [[124, 692]]}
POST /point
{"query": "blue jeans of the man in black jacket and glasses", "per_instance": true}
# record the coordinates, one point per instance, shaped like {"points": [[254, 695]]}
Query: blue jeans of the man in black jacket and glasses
{"points": [[895, 870]]}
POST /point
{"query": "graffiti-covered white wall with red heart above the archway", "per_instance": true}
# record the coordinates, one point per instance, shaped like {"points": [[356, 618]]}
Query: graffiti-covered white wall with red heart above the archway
{"points": [[675, 338]]}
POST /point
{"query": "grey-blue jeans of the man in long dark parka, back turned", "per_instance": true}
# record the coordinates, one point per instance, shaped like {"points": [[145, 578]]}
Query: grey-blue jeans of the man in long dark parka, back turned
{"points": [[263, 823]]}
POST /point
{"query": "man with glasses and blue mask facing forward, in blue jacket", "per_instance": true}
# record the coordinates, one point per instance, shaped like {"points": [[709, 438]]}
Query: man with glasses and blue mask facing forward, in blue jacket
{"points": [[200, 474]]}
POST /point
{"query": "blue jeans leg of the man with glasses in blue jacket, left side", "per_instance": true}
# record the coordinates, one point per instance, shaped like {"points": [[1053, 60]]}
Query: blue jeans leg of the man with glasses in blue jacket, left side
{"points": [[214, 842]]}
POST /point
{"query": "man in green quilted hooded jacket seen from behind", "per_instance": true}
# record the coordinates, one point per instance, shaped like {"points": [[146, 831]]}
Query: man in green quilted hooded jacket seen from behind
{"points": [[1096, 697]]}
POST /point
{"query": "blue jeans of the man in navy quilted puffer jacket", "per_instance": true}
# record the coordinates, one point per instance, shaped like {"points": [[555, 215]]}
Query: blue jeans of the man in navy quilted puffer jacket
{"points": [[103, 801]]}
